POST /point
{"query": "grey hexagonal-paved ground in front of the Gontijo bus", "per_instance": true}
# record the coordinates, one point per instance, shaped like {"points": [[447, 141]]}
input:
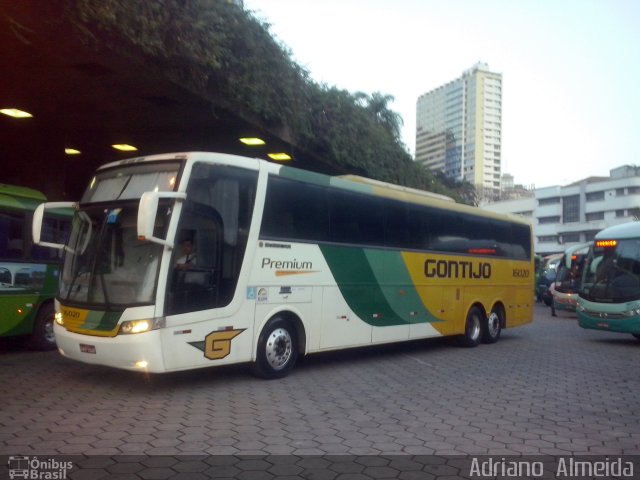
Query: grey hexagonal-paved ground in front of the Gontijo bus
{"points": [[549, 388]]}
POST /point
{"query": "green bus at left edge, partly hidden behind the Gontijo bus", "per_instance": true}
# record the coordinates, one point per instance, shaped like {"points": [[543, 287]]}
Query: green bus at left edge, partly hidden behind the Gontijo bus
{"points": [[28, 272]]}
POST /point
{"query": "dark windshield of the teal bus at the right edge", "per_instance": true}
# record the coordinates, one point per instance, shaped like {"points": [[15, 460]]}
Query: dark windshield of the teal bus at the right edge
{"points": [[612, 272]]}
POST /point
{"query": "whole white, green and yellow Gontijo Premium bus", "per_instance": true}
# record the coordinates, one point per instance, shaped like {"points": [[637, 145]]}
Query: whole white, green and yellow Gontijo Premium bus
{"points": [[284, 263]]}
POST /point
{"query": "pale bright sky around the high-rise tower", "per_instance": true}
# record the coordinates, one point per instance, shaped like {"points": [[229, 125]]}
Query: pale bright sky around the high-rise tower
{"points": [[570, 69]]}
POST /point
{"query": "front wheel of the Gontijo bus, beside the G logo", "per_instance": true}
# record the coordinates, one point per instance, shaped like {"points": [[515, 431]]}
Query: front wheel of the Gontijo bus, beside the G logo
{"points": [[277, 349]]}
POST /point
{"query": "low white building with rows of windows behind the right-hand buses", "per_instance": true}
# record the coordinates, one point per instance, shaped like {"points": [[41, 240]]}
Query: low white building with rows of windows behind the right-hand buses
{"points": [[565, 216]]}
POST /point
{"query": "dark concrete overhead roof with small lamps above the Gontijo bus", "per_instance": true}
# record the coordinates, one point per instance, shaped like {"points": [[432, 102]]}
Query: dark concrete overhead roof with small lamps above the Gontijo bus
{"points": [[89, 98]]}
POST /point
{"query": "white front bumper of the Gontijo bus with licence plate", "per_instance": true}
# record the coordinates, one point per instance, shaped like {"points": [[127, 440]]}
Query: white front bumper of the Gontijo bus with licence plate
{"points": [[137, 352]]}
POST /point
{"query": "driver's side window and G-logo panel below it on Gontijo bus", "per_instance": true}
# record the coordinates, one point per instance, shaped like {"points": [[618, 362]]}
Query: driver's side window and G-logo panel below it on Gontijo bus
{"points": [[203, 277]]}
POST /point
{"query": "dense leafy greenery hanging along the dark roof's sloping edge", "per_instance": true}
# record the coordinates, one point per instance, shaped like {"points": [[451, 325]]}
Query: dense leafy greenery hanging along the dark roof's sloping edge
{"points": [[225, 54]]}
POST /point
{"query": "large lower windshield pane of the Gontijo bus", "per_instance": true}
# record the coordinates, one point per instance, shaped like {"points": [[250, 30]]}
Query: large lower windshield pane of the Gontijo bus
{"points": [[106, 264]]}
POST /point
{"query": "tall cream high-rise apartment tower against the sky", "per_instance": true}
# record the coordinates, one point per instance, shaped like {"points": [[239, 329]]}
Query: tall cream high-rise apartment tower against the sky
{"points": [[459, 129]]}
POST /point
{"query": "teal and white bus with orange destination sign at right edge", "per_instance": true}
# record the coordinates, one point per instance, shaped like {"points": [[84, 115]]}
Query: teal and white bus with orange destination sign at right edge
{"points": [[609, 298]]}
